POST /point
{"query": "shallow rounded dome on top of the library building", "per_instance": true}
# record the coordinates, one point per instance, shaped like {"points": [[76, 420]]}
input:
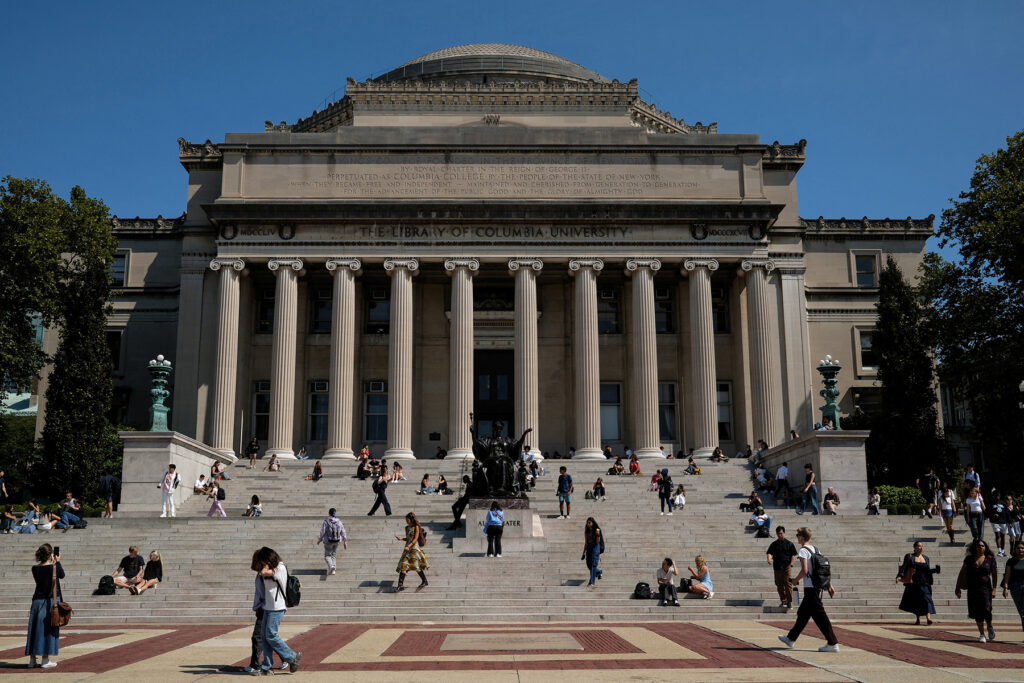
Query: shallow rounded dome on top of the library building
{"points": [[491, 62]]}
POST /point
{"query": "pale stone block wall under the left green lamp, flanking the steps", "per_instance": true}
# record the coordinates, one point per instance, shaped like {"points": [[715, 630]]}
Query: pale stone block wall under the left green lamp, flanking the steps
{"points": [[146, 461]]}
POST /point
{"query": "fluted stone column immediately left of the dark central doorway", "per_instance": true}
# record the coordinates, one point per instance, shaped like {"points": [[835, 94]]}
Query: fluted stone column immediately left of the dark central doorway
{"points": [[461, 365]]}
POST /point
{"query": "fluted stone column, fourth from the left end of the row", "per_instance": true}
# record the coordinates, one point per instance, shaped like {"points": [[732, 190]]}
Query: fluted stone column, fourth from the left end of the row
{"points": [[400, 371]]}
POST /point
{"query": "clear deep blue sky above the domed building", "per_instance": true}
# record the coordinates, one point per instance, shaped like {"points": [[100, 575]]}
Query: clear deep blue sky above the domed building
{"points": [[897, 100]]}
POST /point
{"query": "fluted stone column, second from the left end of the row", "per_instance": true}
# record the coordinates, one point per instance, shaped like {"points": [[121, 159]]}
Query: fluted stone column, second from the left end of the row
{"points": [[283, 357]]}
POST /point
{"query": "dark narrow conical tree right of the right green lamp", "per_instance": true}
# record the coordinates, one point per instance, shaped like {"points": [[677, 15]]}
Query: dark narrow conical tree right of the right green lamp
{"points": [[906, 439]]}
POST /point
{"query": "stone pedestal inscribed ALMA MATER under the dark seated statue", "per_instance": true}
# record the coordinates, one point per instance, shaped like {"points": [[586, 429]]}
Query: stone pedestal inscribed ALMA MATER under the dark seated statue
{"points": [[524, 532]]}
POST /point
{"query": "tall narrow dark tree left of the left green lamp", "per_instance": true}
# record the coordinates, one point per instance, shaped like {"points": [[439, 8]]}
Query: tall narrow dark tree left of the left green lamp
{"points": [[78, 438]]}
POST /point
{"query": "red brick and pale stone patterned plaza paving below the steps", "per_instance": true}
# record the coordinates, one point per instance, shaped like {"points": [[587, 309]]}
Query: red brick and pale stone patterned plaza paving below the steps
{"points": [[742, 651]]}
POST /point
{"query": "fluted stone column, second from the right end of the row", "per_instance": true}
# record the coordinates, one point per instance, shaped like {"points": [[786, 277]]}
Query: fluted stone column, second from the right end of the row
{"points": [[703, 356]]}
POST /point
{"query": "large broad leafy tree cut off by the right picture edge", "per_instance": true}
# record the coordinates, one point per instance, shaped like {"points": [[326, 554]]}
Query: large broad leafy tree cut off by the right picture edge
{"points": [[977, 313]]}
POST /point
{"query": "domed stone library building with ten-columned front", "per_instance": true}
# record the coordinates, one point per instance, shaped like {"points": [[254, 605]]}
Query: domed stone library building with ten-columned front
{"points": [[519, 239]]}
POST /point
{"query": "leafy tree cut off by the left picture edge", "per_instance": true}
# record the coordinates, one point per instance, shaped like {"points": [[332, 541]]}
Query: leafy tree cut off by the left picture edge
{"points": [[31, 243]]}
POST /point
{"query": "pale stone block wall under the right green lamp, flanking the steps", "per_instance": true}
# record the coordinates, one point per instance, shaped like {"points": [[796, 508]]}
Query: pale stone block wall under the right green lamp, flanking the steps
{"points": [[838, 459]]}
